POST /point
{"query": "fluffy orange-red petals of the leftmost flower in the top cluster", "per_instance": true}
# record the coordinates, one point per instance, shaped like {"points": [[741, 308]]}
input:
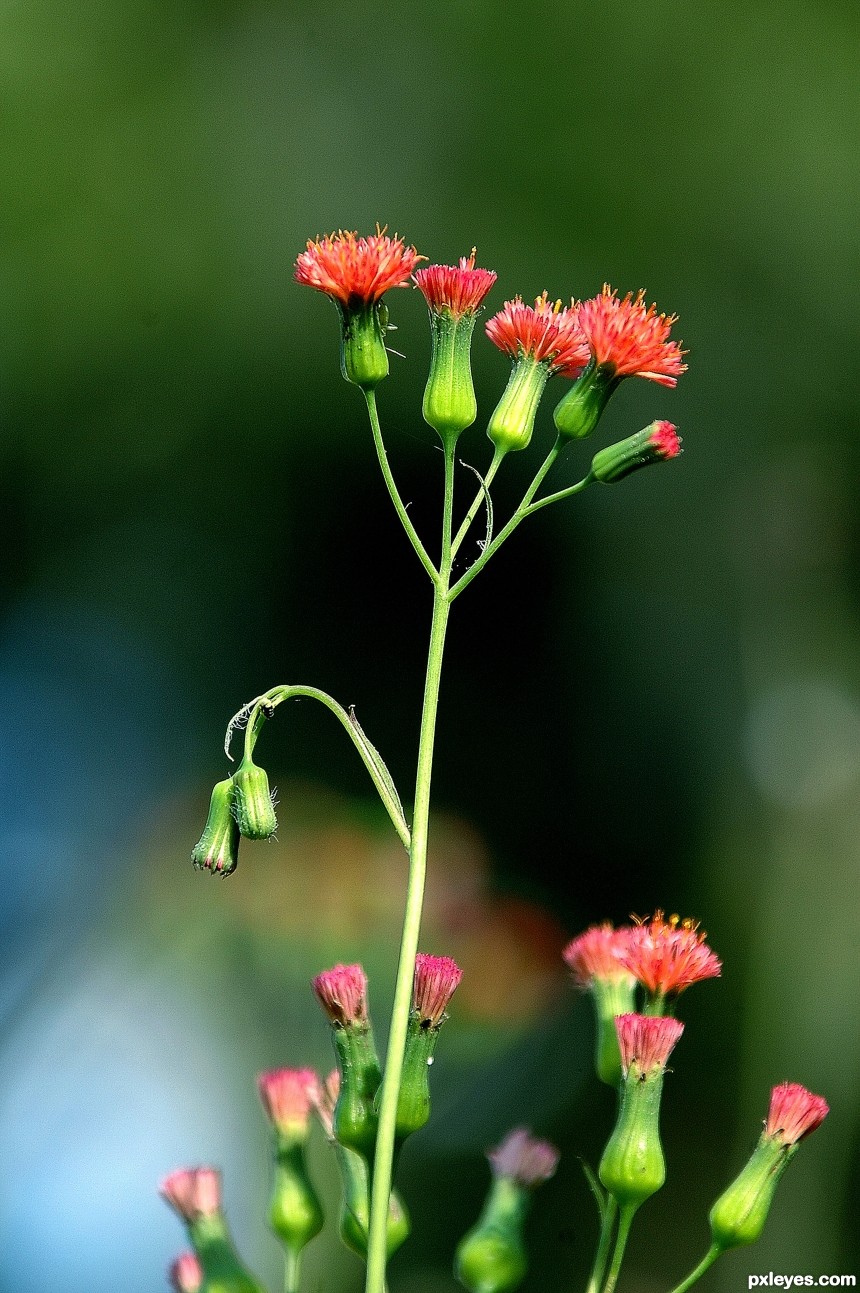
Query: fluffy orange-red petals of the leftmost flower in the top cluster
{"points": [[356, 271]]}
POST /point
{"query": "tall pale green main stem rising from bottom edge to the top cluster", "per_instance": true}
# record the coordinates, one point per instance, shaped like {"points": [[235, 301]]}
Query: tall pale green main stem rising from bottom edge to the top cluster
{"points": [[390, 1091]]}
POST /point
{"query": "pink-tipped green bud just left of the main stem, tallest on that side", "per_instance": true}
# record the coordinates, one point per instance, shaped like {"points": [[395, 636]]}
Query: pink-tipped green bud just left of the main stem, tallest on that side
{"points": [[343, 995]]}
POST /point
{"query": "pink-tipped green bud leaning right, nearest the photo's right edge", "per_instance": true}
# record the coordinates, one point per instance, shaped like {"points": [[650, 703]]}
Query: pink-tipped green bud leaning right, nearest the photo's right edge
{"points": [[739, 1215]]}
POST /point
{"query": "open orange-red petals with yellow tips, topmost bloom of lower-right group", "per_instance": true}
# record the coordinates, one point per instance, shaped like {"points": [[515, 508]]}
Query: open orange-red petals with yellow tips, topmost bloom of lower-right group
{"points": [[669, 956]]}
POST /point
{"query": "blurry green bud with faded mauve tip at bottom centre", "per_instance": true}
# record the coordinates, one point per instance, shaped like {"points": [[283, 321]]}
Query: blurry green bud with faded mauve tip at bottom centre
{"points": [[492, 1257]]}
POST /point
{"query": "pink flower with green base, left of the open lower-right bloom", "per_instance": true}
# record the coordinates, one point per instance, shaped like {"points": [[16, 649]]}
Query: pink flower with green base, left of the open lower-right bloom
{"points": [[594, 959]]}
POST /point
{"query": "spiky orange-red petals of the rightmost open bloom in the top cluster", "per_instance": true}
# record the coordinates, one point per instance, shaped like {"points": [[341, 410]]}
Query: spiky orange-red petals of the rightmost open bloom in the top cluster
{"points": [[630, 338]]}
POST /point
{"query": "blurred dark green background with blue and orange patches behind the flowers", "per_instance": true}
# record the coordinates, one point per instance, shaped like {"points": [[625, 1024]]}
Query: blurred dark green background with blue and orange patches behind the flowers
{"points": [[652, 696]]}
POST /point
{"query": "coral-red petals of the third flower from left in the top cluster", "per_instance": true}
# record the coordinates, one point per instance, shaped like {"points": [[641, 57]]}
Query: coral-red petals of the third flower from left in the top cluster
{"points": [[543, 332]]}
